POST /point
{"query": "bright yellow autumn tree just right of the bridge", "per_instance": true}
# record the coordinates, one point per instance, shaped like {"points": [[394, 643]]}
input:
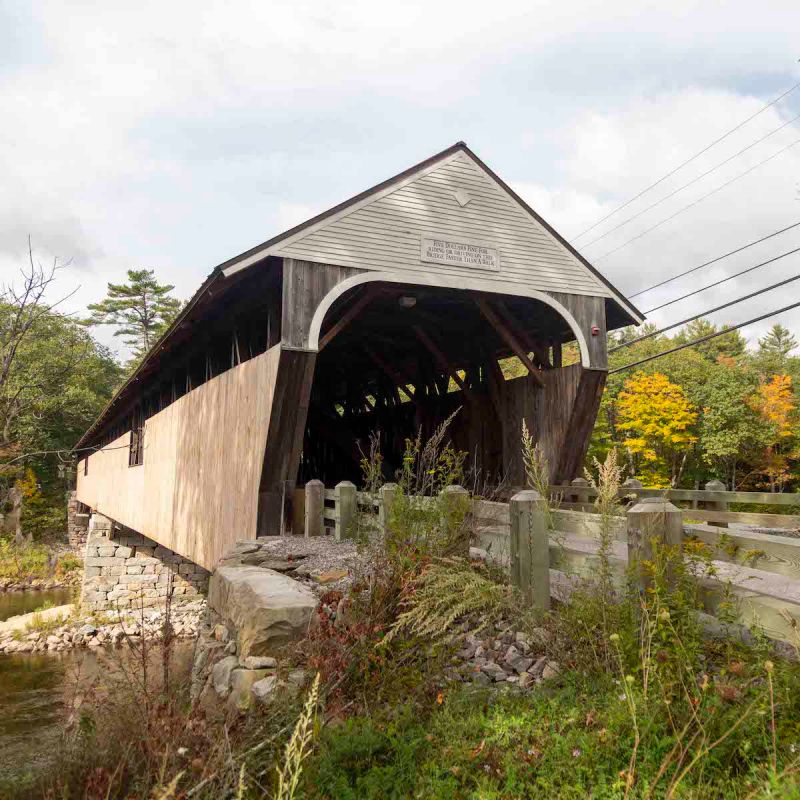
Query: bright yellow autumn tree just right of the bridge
{"points": [[657, 419]]}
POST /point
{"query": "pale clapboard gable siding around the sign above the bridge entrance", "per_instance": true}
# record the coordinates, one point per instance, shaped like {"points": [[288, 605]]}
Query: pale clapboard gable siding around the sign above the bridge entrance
{"points": [[384, 232]]}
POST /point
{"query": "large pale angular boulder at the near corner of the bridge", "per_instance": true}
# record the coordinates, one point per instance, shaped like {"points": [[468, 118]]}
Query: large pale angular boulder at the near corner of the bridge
{"points": [[266, 608]]}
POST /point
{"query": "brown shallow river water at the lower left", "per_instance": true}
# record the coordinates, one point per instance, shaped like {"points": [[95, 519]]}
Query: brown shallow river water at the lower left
{"points": [[33, 689]]}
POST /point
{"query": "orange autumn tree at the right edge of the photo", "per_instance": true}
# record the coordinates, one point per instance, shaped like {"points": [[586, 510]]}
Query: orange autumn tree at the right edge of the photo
{"points": [[776, 403]]}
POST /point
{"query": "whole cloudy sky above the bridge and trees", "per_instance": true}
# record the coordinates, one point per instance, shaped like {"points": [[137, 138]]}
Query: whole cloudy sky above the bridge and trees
{"points": [[174, 135]]}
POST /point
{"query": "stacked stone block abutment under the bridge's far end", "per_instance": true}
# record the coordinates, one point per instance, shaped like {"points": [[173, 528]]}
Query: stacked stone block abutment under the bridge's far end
{"points": [[124, 569]]}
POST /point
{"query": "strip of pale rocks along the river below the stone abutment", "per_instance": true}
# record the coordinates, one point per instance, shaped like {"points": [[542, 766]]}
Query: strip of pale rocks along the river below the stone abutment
{"points": [[57, 630]]}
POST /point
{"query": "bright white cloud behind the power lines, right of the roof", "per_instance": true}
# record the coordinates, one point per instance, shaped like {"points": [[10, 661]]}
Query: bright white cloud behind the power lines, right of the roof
{"points": [[610, 158]]}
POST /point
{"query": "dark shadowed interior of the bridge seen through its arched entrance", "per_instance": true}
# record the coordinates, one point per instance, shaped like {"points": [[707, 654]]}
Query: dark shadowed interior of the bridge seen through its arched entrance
{"points": [[408, 359]]}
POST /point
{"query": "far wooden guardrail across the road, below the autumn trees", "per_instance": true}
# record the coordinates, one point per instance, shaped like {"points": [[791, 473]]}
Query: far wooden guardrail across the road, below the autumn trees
{"points": [[710, 504]]}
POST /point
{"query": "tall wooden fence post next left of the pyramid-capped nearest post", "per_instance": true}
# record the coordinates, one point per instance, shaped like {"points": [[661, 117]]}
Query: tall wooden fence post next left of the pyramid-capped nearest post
{"points": [[530, 548]]}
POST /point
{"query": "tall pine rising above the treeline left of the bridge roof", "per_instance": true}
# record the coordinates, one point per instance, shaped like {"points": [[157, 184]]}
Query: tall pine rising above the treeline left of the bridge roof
{"points": [[140, 310]]}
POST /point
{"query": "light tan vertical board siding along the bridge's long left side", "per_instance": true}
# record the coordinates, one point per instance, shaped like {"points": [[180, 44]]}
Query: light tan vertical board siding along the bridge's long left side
{"points": [[197, 490]]}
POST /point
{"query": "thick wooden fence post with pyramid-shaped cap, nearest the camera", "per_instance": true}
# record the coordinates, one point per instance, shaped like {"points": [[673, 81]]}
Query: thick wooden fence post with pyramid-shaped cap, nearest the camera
{"points": [[653, 520]]}
